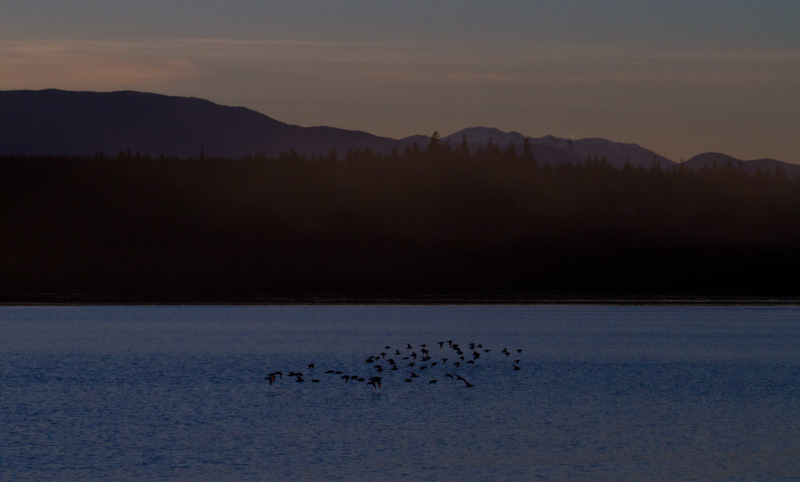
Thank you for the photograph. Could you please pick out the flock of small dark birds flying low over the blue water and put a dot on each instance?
(444, 360)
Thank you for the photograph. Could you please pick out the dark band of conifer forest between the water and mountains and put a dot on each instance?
(437, 222)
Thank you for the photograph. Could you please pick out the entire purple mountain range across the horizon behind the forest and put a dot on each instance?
(58, 122)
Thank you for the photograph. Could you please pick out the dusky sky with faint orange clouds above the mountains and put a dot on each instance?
(677, 77)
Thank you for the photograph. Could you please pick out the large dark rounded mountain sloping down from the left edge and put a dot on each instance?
(51, 122)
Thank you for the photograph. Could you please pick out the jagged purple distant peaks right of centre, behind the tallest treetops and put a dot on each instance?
(555, 150)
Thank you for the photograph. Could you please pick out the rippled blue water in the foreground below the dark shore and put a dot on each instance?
(602, 393)
